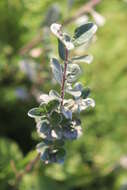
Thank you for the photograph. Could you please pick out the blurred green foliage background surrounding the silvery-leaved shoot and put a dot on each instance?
(98, 160)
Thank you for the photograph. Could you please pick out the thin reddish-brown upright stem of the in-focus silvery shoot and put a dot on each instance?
(64, 76)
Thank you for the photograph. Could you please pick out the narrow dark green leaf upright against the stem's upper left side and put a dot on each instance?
(61, 50)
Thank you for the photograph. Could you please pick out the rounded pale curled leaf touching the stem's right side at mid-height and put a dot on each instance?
(73, 72)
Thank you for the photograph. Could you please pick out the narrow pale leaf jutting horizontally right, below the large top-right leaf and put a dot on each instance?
(85, 58)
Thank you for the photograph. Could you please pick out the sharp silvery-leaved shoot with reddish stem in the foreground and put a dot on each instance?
(57, 118)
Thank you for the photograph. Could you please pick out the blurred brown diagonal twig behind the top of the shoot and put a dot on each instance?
(37, 39)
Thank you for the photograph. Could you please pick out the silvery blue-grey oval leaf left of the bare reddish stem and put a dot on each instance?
(57, 70)
